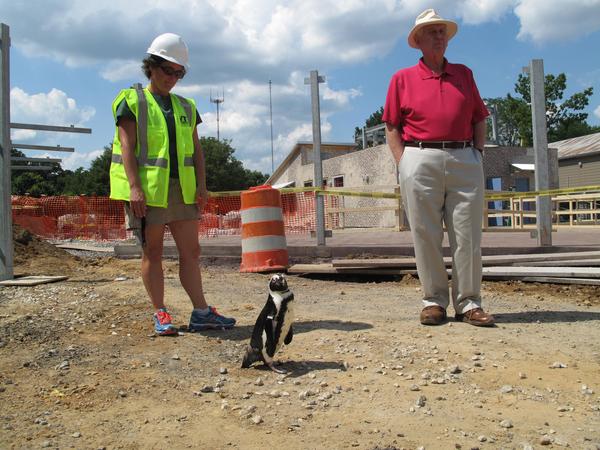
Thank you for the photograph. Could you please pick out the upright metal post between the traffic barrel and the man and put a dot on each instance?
(314, 81)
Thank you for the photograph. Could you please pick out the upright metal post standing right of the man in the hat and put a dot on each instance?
(540, 148)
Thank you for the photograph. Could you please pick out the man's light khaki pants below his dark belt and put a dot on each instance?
(445, 185)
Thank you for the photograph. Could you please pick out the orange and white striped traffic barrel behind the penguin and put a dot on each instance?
(264, 248)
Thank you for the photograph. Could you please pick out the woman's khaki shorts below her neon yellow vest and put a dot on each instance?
(176, 210)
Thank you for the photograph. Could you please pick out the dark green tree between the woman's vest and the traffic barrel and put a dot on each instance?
(224, 172)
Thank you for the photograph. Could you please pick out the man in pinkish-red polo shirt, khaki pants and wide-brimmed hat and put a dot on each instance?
(435, 128)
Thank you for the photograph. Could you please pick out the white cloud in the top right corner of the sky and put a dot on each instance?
(556, 20)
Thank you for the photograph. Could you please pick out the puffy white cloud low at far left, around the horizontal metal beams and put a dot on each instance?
(52, 108)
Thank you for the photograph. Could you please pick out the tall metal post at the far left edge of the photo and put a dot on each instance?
(6, 242)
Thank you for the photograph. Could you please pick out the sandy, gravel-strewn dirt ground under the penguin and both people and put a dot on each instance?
(80, 367)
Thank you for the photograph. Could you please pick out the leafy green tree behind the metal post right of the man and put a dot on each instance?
(564, 118)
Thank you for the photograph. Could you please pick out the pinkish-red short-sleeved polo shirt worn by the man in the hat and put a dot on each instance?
(432, 107)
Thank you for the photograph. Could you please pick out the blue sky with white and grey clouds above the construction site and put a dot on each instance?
(69, 58)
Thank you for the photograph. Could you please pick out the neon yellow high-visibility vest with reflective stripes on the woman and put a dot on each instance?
(152, 148)
